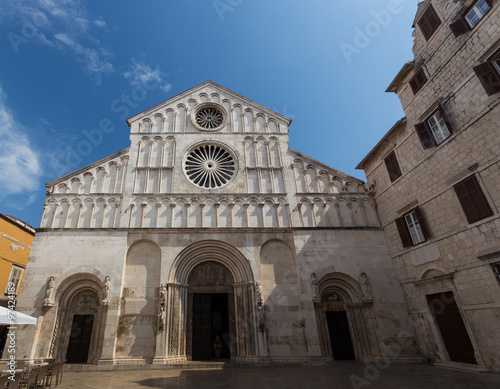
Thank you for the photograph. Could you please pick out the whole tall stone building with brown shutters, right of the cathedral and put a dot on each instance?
(435, 177)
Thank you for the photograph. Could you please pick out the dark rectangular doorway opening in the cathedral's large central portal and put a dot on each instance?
(210, 326)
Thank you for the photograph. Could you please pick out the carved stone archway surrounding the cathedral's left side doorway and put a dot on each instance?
(81, 294)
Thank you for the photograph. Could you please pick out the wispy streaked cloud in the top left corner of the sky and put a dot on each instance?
(63, 25)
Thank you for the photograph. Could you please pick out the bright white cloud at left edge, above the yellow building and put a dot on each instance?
(21, 168)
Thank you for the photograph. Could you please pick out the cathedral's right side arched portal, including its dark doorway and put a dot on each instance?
(344, 316)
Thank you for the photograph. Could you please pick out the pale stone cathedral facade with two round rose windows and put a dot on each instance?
(209, 238)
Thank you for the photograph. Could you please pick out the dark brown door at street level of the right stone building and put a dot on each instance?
(451, 326)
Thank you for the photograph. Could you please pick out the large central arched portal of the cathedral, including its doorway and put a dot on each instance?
(211, 273)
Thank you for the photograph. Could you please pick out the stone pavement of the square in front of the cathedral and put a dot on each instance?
(339, 375)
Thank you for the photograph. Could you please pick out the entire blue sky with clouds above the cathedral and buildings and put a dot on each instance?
(67, 65)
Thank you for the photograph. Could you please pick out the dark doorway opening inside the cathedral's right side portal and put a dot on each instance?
(340, 336)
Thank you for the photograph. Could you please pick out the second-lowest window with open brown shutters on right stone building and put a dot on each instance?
(435, 129)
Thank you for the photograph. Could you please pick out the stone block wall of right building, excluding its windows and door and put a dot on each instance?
(454, 248)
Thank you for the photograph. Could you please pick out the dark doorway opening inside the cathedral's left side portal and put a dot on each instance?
(79, 339)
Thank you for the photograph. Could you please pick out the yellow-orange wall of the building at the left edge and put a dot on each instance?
(15, 247)
